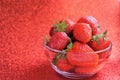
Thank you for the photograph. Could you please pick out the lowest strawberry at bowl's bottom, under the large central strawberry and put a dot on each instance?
(85, 70)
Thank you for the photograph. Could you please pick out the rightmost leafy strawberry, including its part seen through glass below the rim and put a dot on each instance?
(100, 42)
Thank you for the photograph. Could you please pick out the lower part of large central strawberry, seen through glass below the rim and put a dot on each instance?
(82, 59)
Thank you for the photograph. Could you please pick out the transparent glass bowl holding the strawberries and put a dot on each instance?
(103, 57)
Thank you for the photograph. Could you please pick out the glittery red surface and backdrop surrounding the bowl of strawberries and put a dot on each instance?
(23, 24)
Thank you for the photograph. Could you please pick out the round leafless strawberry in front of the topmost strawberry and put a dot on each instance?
(82, 32)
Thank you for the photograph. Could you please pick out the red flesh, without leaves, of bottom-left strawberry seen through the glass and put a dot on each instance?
(64, 65)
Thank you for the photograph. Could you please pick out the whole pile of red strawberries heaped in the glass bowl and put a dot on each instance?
(79, 41)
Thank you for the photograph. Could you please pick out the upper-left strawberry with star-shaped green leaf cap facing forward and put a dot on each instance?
(64, 26)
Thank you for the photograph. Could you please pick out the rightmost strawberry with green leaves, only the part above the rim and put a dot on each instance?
(99, 42)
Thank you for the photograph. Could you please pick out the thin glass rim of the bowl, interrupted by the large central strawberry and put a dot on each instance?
(97, 52)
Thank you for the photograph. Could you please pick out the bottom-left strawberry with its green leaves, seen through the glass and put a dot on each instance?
(61, 62)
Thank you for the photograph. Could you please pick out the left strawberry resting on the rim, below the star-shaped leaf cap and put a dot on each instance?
(58, 41)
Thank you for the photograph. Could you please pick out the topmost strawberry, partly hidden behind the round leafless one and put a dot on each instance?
(92, 22)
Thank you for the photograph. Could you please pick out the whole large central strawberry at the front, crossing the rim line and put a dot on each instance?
(82, 55)
